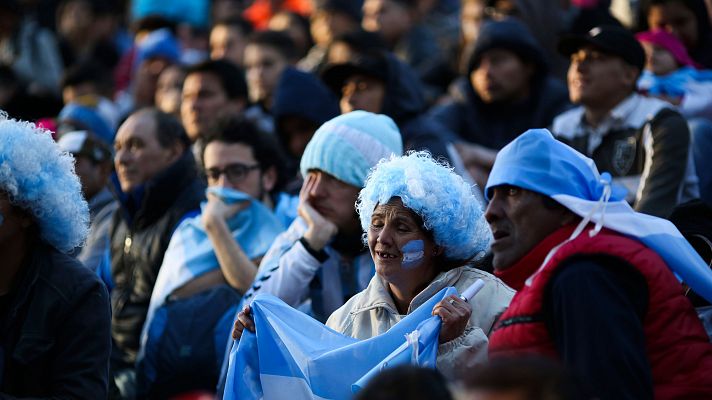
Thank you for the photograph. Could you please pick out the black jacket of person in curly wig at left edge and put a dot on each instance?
(55, 331)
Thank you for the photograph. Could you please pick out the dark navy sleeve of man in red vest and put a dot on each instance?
(593, 309)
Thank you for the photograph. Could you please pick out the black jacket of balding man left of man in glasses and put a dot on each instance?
(140, 231)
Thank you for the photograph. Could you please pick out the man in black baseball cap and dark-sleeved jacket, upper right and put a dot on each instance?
(620, 129)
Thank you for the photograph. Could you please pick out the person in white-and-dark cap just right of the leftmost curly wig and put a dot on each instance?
(93, 164)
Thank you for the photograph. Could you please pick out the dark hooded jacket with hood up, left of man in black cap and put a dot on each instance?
(494, 125)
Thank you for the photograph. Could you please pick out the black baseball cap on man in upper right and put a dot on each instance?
(612, 40)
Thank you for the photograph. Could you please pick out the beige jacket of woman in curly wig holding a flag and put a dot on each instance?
(372, 312)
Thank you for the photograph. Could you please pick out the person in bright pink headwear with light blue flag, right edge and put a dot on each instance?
(670, 74)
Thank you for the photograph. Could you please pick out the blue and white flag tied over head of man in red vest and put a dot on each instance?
(538, 162)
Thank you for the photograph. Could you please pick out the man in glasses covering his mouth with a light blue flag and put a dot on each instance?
(210, 262)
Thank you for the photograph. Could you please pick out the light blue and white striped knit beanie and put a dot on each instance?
(349, 145)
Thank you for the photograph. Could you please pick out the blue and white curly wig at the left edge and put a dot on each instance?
(39, 178)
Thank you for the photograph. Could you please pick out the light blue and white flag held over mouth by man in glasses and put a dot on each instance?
(190, 252)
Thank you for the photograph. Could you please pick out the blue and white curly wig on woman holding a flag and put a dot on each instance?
(442, 199)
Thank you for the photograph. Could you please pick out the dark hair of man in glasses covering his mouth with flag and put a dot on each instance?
(264, 146)
